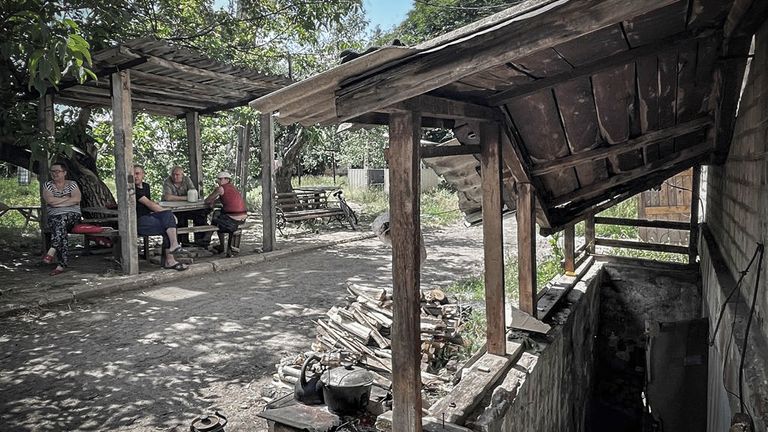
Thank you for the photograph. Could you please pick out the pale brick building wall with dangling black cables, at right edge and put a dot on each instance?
(737, 217)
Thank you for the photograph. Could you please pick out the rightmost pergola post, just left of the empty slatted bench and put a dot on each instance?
(267, 137)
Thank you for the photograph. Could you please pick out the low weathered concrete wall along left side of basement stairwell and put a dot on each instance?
(549, 388)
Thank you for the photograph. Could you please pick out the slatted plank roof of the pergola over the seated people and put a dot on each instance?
(169, 80)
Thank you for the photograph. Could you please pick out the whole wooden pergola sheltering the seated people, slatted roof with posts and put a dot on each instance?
(156, 77)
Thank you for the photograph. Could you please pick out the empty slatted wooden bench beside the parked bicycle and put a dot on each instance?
(301, 206)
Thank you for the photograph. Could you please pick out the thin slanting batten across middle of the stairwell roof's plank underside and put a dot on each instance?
(649, 138)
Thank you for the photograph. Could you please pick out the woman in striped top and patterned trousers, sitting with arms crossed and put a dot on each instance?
(62, 202)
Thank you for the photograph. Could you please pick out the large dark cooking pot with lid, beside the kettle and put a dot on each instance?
(346, 389)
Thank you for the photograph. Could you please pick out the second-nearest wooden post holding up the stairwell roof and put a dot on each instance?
(493, 240)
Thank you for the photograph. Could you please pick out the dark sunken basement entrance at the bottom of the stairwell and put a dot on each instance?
(651, 352)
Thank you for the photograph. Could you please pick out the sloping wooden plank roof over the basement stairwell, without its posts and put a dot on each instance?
(600, 99)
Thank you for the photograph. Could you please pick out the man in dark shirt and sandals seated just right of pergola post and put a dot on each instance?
(153, 219)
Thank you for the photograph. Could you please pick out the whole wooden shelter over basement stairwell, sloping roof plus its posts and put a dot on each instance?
(578, 105)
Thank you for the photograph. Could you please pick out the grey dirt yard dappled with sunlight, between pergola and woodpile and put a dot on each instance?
(154, 359)
